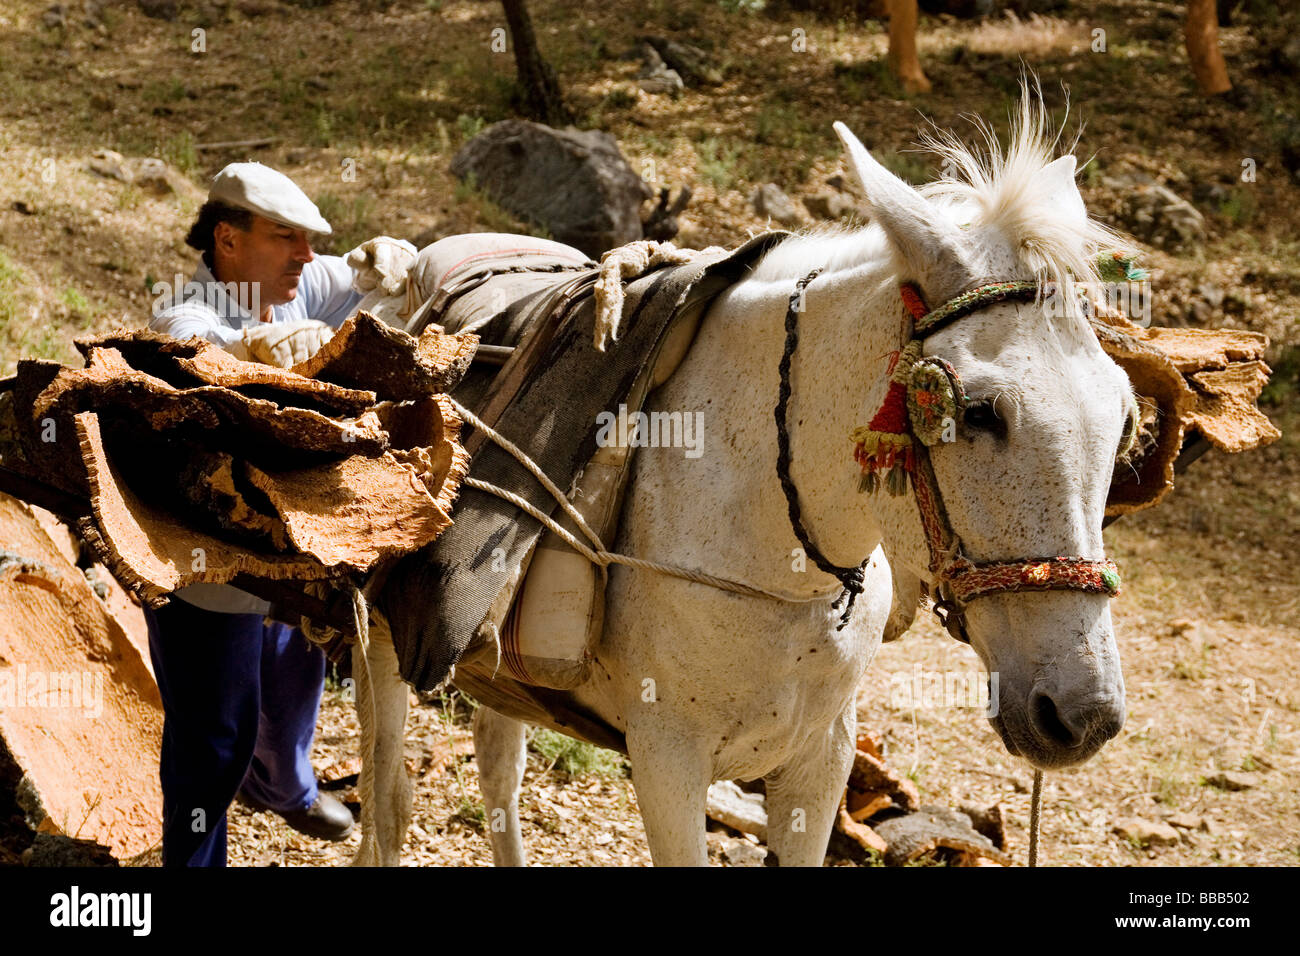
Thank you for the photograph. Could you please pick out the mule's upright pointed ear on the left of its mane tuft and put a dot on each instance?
(926, 239)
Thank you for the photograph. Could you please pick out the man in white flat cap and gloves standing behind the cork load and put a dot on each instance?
(241, 694)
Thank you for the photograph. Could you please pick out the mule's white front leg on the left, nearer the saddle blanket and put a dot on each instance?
(671, 775)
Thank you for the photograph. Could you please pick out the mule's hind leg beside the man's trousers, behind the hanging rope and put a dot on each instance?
(385, 786)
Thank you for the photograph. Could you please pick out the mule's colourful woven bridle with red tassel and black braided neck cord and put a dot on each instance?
(926, 401)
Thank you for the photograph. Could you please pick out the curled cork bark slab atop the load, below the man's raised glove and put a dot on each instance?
(367, 353)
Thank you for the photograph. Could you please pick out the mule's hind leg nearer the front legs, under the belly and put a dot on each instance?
(502, 755)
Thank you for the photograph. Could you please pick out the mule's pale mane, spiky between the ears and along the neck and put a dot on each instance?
(983, 187)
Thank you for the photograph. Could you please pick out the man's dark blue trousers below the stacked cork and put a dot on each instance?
(240, 702)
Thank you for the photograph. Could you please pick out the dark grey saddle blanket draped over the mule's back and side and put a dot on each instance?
(437, 599)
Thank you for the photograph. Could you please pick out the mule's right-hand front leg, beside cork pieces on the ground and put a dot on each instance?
(804, 794)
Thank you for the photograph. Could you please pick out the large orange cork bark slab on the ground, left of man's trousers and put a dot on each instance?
(80, 712)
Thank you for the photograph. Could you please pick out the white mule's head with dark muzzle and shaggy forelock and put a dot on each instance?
(1026, 471)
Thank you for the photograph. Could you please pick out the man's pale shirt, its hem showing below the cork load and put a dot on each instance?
(210, 310)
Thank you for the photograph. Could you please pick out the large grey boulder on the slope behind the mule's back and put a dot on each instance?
(575, 184)
